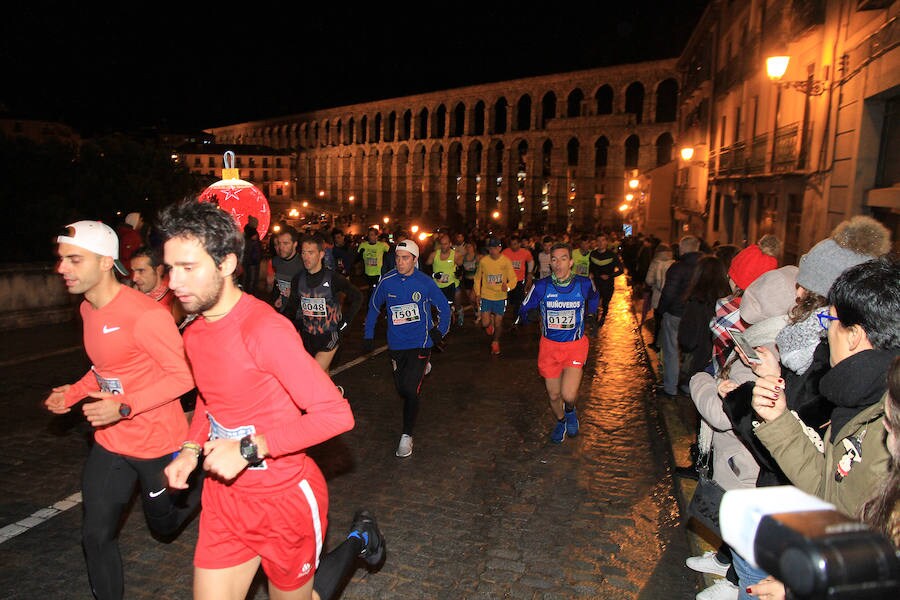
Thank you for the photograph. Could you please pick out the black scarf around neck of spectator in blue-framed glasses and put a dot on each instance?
(854, 384)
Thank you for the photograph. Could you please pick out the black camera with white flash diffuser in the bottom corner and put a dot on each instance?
(809, 546)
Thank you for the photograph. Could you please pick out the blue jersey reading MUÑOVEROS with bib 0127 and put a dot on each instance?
(563, 309)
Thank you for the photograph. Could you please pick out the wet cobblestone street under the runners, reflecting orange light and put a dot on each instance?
(486, 507)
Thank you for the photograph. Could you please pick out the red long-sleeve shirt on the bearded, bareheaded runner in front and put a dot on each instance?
(254, 376)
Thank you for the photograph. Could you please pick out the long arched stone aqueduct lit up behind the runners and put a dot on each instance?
(546, 153)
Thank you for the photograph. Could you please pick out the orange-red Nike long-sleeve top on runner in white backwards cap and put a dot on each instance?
(137, 352)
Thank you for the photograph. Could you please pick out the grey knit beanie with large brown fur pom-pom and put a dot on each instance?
(851, 243)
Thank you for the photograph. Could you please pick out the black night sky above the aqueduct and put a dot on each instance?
(183, 67)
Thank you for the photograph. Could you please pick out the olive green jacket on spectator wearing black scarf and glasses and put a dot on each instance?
(814, 471)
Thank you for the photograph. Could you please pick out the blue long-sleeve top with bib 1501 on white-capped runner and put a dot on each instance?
(409, 300)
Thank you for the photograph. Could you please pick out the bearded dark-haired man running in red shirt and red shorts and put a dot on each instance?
(262, 401)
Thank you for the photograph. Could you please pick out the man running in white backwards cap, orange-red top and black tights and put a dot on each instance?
(139, 371)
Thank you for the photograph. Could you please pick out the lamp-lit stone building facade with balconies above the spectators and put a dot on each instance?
(792, 156)
